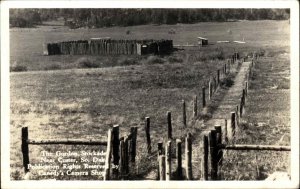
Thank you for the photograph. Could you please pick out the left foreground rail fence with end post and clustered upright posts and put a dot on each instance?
(120, 151)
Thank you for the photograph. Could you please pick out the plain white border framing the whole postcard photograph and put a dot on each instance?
(5, 166)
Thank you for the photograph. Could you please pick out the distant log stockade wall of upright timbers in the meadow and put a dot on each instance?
(108, 46)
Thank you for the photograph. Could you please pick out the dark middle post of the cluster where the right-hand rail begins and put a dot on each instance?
(213, 155)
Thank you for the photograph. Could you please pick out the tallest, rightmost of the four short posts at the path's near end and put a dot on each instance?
(188, 156)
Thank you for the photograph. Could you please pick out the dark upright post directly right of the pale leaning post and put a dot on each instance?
(116, 153)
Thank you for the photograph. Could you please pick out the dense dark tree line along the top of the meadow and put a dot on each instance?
(128, 17)
